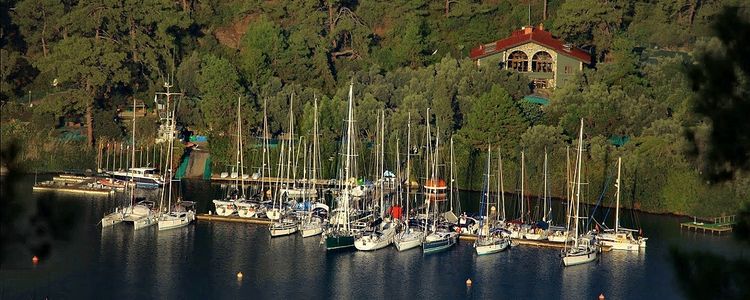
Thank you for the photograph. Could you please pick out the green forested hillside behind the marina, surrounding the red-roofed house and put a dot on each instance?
(69, 66)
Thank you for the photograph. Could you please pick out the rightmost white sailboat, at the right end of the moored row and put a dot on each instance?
(621, 238)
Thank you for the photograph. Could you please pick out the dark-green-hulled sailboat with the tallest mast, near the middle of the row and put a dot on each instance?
(340, 234)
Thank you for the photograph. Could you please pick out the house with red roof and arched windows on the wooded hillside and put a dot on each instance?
(547, 61)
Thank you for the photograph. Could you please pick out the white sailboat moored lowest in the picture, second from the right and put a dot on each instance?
(582, 249)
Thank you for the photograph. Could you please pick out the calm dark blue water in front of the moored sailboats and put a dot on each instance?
(201, 262)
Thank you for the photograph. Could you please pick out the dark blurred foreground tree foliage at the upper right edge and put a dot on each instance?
(721, 82)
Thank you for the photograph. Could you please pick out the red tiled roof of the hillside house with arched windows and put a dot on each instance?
(527, 35)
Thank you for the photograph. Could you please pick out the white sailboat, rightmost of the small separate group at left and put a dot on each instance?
(184, 212)
